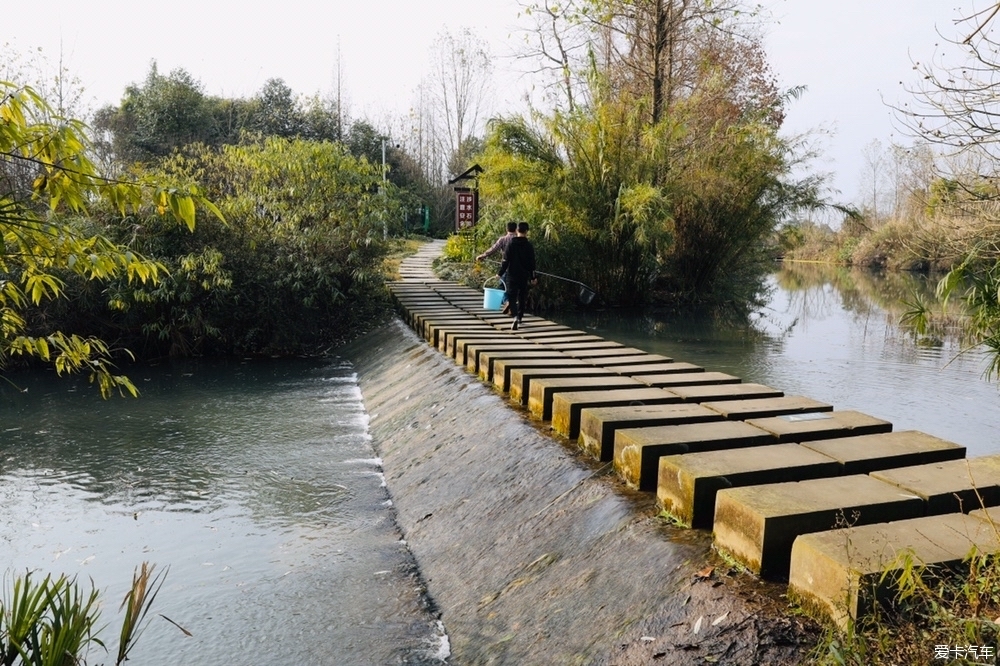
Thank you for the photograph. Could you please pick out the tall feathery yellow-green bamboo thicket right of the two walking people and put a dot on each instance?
(686, 204)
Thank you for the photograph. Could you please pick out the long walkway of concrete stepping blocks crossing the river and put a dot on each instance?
(788, 485)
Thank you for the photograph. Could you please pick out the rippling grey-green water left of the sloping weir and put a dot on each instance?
(255, 483)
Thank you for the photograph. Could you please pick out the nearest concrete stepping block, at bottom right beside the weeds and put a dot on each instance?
(839, 574)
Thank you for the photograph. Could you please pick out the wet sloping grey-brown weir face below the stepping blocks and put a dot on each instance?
(533, 554)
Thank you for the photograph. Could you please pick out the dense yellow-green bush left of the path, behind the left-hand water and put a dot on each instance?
(296, 267)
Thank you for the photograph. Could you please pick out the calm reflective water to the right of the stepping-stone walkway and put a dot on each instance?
(833, 334)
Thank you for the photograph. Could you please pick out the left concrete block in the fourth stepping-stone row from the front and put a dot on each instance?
(637, 459)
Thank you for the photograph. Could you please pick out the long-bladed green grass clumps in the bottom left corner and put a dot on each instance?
(53, 621)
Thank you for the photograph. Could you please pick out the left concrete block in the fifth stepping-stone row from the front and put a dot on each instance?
(599, 426)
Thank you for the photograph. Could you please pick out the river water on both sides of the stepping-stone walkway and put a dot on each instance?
(256, 483)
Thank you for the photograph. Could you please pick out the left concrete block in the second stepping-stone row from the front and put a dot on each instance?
(756, 525)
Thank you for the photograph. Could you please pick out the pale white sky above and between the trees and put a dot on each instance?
(851, 55)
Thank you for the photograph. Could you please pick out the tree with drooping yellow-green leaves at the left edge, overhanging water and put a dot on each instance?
(48, 189)
